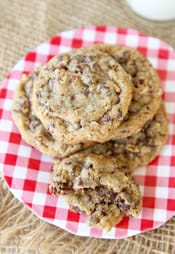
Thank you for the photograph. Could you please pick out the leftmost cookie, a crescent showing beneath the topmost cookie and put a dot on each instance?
(31, 128)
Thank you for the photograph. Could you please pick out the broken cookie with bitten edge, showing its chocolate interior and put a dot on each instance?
(102, 187)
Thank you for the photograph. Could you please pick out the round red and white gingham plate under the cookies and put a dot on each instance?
(27, 171)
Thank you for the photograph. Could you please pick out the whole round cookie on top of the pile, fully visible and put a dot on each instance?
(82, 95)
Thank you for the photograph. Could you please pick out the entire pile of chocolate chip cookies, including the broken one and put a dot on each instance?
(103, 102)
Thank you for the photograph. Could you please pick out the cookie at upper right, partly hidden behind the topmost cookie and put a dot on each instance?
(147, 88)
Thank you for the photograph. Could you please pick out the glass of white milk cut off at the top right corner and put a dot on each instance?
(158, 10)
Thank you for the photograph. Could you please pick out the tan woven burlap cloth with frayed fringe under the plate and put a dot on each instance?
(25, 24)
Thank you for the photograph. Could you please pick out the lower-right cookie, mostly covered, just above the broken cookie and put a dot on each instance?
(140, 148)
